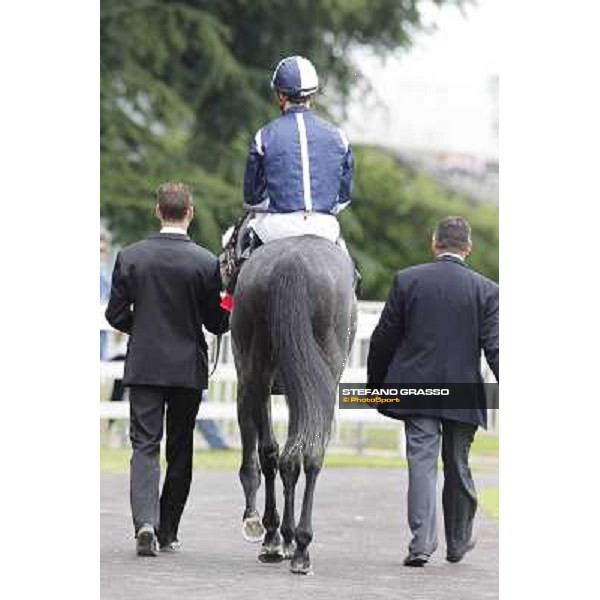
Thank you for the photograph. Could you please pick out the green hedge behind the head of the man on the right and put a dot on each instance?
(393, 215)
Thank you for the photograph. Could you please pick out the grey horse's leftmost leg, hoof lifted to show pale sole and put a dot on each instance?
(252, 528)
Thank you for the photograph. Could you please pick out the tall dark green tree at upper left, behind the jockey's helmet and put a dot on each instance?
(184, 84)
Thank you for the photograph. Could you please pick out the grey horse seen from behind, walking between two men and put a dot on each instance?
(294, 316)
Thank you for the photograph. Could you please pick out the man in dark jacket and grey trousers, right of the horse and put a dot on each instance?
(437, 320)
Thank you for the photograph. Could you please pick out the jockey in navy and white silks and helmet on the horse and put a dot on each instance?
(299, 169)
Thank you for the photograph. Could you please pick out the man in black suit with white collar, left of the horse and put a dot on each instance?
(164, 289)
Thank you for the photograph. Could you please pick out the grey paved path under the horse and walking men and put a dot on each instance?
(360, 540)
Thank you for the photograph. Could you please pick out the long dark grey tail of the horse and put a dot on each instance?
(307, 379)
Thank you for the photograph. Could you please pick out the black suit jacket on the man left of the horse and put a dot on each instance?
(163, 290)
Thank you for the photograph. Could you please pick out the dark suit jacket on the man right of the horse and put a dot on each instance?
(437, 319)
